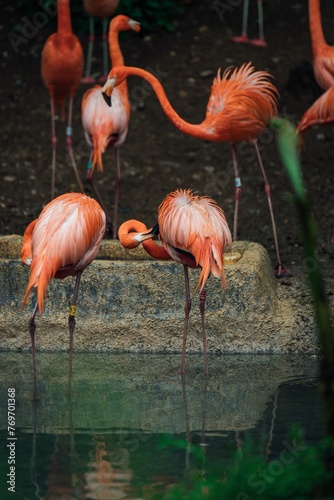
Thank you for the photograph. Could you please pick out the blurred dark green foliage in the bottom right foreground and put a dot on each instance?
(298, 472)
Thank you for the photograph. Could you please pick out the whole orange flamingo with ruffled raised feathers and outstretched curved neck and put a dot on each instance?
(241, 103)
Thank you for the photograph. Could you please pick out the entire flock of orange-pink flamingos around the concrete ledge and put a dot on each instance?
(192, 230)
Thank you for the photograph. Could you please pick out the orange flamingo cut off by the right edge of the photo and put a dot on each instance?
(322, 110)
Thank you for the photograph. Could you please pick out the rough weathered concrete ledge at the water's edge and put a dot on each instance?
(131, 303)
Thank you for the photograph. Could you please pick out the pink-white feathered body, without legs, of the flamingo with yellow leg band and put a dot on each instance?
(65, 239)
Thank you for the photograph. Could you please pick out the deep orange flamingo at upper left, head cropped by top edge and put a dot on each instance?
(62, 67)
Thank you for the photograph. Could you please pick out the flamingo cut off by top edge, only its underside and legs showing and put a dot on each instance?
(103, 9)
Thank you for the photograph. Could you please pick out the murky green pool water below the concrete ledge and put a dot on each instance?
(131, 428)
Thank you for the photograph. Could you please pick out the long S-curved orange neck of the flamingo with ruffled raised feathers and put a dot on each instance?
(195, 130)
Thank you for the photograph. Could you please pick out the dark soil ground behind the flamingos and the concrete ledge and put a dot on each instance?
(156, 157)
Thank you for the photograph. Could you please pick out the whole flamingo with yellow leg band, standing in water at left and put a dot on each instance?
(62, 242)
